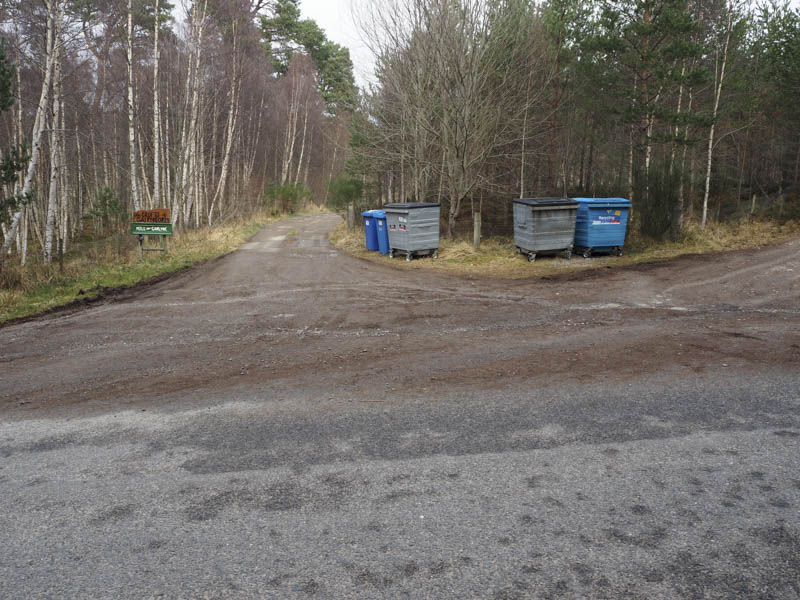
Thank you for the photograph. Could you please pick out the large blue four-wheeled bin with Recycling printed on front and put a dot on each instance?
(601, 225)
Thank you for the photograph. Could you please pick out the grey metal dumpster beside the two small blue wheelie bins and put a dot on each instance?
(413, 228)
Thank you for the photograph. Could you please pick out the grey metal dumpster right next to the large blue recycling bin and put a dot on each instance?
(544, 226)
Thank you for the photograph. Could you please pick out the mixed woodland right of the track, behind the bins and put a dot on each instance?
(687, 107)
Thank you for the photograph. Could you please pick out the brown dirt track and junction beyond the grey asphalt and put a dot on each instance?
(290, 313)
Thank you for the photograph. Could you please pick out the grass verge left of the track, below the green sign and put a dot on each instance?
(97, 267)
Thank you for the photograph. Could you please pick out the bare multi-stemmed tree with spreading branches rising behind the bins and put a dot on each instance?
(454, 88)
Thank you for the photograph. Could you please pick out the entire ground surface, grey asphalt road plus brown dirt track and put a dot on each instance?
(289, 422)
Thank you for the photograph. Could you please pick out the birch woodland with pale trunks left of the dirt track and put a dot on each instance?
(112, 106)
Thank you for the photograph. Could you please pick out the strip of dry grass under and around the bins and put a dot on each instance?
(497, 257)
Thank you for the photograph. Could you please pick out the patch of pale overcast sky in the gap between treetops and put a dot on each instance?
(335, 17)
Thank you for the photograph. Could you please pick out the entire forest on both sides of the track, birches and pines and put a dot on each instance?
(218, 109)
